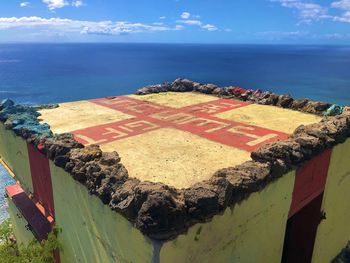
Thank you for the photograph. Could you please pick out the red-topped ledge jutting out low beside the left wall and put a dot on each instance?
(39, 224)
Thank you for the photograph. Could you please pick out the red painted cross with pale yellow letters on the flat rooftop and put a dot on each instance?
(197, 119)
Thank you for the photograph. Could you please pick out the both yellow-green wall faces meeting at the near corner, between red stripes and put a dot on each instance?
(94, 233)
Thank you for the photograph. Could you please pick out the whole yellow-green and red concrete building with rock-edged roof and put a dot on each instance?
(196, 178)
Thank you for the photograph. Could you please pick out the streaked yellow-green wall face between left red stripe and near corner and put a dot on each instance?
(91, 231)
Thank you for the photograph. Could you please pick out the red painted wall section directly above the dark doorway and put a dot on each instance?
(310, 181)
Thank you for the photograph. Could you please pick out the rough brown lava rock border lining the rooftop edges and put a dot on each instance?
(160, 211)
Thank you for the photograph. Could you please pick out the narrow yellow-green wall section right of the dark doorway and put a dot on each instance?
(334, 232)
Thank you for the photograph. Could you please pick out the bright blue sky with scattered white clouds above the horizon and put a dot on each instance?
(176, 21)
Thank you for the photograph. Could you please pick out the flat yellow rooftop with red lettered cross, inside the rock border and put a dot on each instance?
(177, 138)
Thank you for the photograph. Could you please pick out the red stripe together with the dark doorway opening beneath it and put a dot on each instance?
(305, 212)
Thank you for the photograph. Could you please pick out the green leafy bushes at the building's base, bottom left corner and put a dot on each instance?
(35, 252)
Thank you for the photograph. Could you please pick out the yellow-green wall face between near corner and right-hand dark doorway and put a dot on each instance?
(252, 231)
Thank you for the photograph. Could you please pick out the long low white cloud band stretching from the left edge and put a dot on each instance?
(60, 25)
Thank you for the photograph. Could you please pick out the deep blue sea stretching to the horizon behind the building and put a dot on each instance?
(53, 73)
